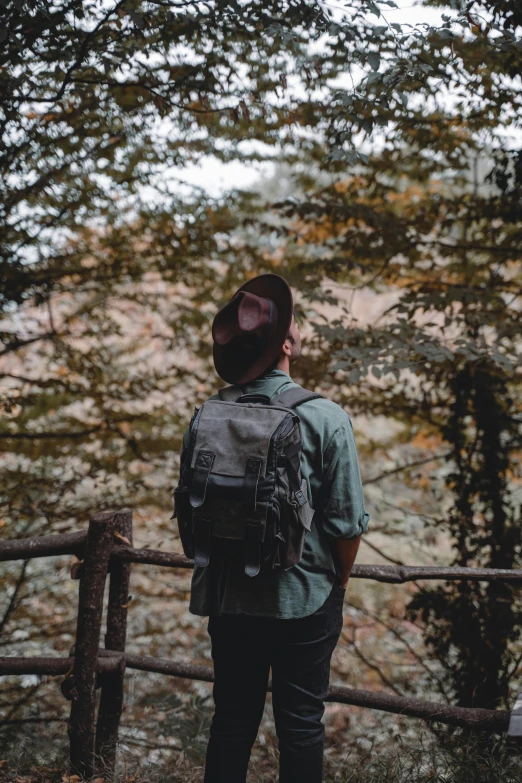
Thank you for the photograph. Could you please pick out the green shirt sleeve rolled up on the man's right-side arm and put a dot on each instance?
(345, 515)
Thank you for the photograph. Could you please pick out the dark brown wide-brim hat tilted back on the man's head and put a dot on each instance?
(250, 330)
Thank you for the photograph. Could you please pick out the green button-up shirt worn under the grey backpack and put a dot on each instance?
(331, 468)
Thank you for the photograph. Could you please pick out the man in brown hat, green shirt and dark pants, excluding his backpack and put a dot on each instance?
(289, 621)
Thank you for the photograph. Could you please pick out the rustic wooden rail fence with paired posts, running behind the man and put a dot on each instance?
(105, 548)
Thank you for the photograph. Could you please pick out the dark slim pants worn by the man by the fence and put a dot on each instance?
(299, 652)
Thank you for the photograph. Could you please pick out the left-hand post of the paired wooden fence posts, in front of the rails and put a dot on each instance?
(100, 538)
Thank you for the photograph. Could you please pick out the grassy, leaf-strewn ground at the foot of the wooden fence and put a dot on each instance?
(446, 759)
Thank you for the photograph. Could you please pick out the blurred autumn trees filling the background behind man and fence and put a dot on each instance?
(389, 195)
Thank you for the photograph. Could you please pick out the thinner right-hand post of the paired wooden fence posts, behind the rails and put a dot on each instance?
(111, 699)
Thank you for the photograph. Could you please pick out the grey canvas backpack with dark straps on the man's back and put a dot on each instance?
(240, 490)
